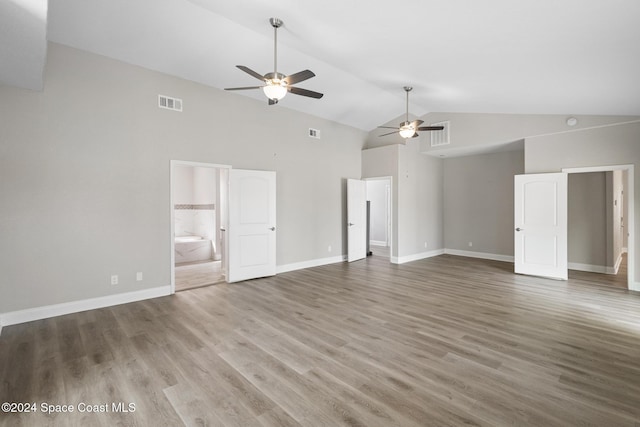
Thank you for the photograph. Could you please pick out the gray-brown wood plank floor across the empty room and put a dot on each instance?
(445, 341)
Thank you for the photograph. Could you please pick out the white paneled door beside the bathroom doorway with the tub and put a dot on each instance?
(251, 224)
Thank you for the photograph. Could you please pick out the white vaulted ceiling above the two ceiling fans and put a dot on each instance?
(491, 56)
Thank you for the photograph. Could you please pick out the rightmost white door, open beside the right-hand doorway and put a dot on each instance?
(541, 225)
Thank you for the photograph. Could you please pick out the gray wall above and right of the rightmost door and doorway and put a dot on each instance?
(613, 145)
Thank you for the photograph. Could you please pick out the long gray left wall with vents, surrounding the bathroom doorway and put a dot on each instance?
(84, 175)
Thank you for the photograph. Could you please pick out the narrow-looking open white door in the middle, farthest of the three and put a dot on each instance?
(356, 219)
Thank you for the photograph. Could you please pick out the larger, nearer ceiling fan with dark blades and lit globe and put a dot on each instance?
(276, 85)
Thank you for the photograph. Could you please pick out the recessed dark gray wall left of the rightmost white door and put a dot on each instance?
(478, 202)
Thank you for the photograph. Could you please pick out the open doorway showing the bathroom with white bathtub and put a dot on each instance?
(198, 222)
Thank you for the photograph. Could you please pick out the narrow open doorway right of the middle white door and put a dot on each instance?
(380, 229)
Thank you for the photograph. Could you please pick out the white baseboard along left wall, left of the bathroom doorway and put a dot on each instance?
(37, 313)
